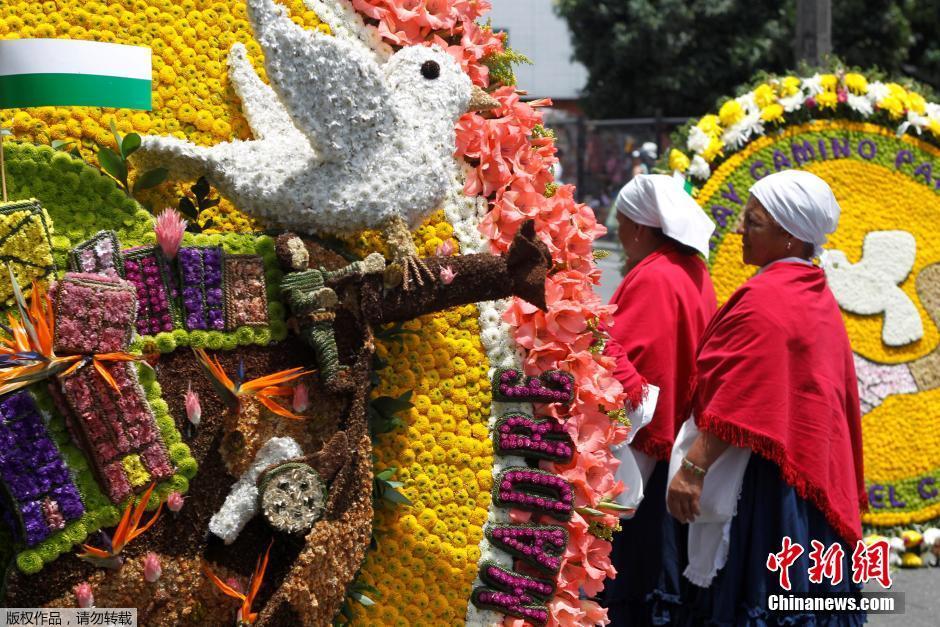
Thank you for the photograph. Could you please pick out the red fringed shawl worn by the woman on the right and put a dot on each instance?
(775, 374)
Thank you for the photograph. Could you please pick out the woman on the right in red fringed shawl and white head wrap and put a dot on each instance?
(774, 446)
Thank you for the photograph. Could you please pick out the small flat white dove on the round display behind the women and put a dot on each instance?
(870, 286)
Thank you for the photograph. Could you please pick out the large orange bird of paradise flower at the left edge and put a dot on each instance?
(27, 355)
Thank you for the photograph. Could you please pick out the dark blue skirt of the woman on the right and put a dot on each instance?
(768, 510)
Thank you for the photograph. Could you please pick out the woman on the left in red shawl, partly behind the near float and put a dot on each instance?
(663, 305)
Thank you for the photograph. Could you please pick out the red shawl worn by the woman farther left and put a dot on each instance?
(663, 306)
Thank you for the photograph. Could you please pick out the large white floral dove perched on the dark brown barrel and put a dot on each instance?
(347, 137)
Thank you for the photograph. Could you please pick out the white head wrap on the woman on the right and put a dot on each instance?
(802, 203)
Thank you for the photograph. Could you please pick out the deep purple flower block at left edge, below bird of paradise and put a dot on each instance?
(33, 471)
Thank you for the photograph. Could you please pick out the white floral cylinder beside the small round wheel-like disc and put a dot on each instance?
(241, 504)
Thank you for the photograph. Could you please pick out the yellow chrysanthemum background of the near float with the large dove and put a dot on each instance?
(425, 560)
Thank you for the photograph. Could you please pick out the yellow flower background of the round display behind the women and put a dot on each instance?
(902, 435)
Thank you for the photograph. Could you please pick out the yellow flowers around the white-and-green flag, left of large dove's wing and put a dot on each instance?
(192, 98)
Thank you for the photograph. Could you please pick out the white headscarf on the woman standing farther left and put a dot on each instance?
(659, 200)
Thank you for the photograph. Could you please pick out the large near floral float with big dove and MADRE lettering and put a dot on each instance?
(395, 412)
